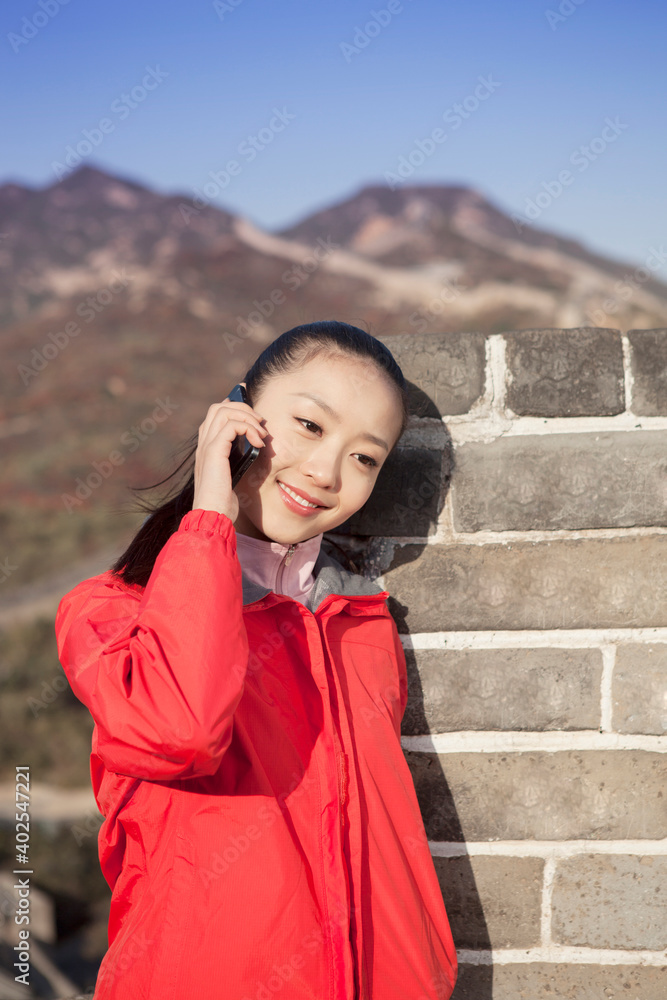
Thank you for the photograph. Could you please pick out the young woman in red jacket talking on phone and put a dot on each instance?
(262, 835)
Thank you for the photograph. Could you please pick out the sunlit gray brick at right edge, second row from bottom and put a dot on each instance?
(611, 901)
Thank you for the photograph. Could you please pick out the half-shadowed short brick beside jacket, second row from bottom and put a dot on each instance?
(492, 902)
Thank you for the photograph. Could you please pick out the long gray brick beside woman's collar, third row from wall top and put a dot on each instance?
(563, 583)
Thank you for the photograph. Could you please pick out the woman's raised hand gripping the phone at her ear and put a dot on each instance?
(213, 477)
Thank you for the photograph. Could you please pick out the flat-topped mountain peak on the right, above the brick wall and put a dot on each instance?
(488, 258)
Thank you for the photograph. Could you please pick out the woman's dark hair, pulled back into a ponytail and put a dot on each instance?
(287, 353)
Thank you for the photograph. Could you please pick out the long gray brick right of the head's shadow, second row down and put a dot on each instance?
(561, 481)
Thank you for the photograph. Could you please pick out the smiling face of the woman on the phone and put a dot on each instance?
(328, 457)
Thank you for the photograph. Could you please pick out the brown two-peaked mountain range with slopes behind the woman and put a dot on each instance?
(115, 300)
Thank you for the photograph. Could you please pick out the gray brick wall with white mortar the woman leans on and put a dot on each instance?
(522, 533)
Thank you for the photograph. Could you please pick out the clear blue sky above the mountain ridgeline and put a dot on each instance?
(360, 88)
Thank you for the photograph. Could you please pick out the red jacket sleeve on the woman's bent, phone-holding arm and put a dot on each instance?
(162, 669)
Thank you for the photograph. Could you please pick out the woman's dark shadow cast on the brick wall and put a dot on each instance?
(407, 501)
